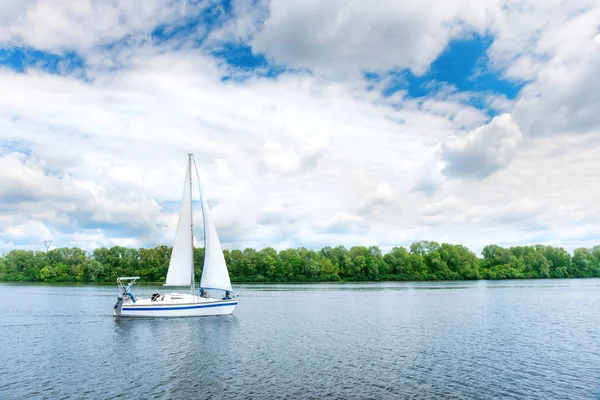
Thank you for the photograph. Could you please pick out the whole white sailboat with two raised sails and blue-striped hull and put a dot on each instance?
(215, 277)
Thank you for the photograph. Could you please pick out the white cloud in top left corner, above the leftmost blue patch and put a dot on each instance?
(56, 26)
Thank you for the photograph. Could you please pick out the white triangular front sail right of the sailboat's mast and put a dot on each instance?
(214, 272)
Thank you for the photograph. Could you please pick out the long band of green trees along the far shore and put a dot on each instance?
(422, 261)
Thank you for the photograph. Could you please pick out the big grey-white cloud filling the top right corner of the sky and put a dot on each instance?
(551, 44)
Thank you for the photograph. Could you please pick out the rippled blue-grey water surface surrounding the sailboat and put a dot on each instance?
(532, 339)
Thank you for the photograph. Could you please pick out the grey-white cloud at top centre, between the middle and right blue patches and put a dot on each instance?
(350, 36)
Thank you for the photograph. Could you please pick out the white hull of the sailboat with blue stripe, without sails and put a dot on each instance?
(176, 305)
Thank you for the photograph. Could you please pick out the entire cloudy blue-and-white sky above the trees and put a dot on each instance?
(313, 123)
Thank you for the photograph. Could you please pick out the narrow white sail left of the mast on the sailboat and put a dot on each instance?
(182, 258)
